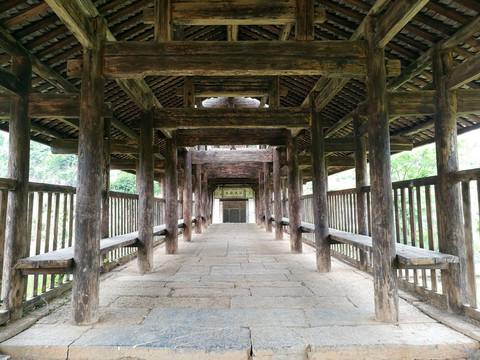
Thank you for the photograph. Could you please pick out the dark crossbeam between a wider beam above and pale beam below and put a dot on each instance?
(273, 137)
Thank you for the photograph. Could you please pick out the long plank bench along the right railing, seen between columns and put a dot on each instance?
(408, 257)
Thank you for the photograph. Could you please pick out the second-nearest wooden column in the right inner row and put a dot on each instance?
(319, 183)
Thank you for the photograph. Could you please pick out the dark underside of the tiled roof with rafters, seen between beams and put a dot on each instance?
(32, 26)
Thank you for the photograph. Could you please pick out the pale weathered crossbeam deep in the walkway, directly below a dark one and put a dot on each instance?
(227, 156)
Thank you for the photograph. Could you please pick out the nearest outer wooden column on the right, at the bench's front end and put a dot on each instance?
(451, 237)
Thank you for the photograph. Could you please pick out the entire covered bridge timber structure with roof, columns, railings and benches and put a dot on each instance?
(124, 84)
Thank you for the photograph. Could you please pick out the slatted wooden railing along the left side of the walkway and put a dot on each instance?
(50, 227)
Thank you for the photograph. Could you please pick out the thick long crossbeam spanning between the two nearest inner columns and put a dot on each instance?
(224, 58)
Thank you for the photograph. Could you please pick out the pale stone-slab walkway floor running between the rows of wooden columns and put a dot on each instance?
(235, 293)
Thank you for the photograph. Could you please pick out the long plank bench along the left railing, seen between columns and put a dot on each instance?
(61, 261)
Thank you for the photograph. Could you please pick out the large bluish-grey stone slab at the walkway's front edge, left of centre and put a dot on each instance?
(162, 342)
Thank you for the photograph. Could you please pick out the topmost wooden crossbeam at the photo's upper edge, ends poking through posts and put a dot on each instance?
(236, 12)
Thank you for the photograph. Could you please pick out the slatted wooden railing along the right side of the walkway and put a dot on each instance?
(415, 215)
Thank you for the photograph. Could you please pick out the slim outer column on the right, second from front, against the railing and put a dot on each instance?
(361, 181)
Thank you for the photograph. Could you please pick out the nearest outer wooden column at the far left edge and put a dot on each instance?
(17, 244)
